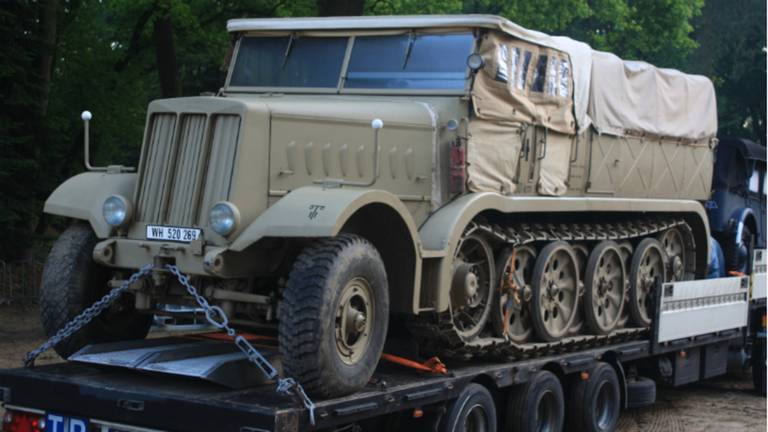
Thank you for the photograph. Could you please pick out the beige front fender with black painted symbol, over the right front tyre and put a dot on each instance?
(313, 211)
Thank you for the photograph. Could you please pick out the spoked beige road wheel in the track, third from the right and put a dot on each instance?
(604, 288)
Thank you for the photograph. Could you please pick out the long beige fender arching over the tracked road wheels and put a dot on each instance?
(441, 232)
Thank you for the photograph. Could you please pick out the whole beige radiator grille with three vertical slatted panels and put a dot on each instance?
(187, 167)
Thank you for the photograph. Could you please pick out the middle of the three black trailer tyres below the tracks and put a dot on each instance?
(537, 405)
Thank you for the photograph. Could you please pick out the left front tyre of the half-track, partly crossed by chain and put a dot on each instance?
(71, 282)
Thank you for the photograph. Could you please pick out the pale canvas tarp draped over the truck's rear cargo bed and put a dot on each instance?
(630, 97)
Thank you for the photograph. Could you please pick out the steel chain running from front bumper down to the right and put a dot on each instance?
(216, 316)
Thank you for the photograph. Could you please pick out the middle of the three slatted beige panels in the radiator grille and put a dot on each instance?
(181, 209)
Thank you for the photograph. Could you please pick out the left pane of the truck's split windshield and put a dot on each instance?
(289, 62)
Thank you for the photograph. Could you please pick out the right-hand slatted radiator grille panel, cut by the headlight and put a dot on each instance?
(226, 129)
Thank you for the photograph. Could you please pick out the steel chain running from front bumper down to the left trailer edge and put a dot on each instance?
(86, 316)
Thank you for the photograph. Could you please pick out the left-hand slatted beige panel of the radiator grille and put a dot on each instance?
(160, 144)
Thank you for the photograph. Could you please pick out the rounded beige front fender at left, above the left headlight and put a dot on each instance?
(82, 196)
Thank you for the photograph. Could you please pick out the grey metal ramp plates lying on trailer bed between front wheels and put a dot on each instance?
(219, 362)
